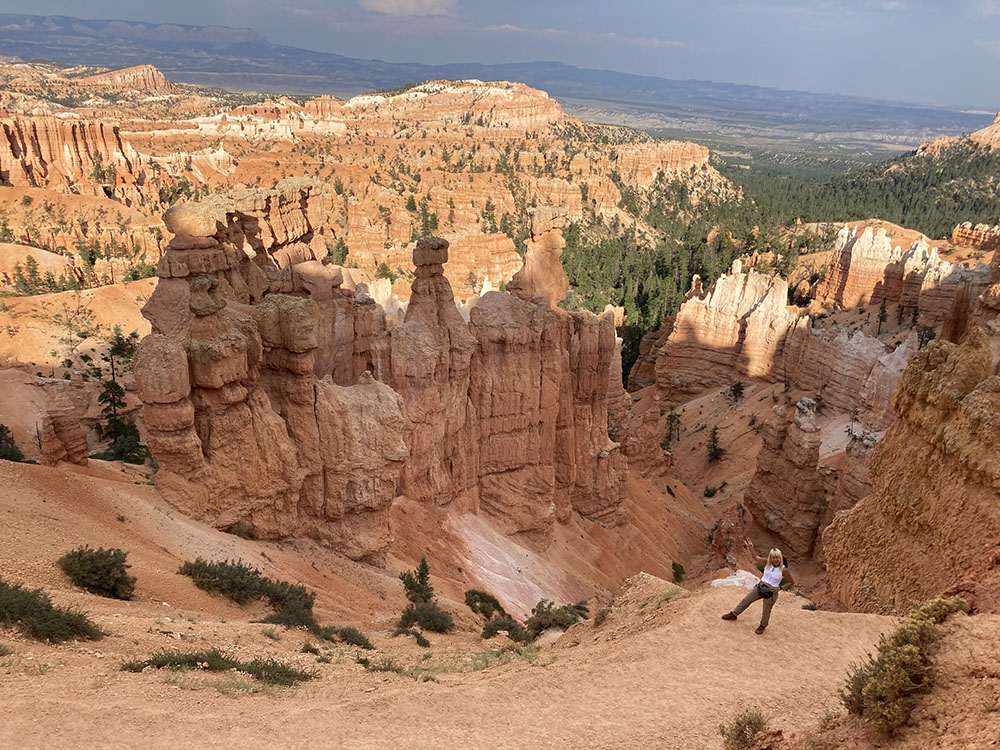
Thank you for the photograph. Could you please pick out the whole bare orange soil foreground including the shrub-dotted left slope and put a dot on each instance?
(663, 670)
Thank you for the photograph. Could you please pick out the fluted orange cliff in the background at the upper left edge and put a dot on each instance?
(68, 155)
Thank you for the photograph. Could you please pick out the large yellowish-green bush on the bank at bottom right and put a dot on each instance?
(884, 687)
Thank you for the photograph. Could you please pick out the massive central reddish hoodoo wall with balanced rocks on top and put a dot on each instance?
(275, 396)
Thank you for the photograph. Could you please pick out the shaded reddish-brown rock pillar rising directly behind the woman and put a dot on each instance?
(786, 494)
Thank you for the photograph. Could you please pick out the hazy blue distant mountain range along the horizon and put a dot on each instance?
(243, 60)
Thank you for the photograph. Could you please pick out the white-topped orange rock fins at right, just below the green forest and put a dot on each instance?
(867, 268)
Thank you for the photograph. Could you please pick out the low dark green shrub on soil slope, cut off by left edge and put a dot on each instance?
(32, 611)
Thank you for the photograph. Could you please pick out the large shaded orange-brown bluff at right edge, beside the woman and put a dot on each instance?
(933, 514)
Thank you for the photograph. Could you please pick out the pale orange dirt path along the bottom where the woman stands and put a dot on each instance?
(666, 682)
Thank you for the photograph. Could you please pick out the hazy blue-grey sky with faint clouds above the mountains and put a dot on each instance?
(944, 52)
